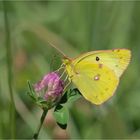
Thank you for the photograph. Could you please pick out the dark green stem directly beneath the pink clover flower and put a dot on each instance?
(40, 125)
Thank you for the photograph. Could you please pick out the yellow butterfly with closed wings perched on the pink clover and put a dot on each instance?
(96, 74)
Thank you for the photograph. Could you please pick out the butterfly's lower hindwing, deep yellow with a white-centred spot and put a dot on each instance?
(96, 85)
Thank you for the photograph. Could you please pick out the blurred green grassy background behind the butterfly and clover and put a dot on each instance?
(74, 27)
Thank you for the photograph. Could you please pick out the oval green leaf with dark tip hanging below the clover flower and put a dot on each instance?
(61, 115)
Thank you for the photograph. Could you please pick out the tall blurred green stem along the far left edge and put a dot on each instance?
(9, 67)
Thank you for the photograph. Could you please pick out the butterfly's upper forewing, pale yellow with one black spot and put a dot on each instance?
(116, 59)
